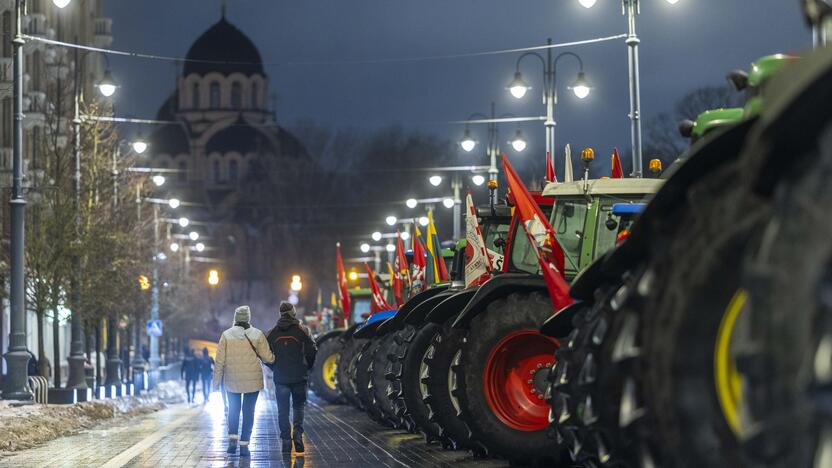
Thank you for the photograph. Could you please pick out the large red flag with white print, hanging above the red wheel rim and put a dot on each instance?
(542, 238)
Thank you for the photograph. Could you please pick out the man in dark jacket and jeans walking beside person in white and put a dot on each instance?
(294, 352)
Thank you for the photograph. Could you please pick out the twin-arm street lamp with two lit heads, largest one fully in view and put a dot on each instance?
(580, 88)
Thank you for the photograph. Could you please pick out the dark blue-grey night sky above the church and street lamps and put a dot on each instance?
(690, 44)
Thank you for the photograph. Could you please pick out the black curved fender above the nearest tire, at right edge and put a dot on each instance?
(795, 113)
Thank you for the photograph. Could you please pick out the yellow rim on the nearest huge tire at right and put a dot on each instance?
(728, 380)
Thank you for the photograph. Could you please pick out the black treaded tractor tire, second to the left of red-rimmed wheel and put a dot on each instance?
(406, 370)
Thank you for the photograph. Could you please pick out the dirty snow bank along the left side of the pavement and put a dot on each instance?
(23, 427)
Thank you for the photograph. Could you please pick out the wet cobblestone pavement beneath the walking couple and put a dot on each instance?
(336, 436)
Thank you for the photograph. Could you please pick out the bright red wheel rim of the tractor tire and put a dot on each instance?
(511, 373)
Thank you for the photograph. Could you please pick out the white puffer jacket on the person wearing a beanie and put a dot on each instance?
(237, 366)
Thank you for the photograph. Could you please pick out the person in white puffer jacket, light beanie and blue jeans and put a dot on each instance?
(240, 351)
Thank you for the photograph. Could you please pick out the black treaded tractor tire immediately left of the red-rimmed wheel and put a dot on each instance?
(439, 382)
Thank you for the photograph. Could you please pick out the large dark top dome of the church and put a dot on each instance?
(223, 42)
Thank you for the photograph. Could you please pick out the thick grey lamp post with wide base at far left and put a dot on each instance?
(15, 387)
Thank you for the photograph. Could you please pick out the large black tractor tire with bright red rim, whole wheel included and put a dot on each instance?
(502, 379)
